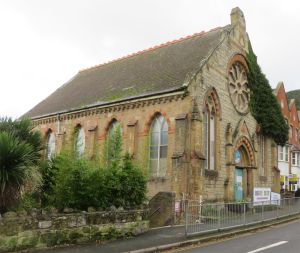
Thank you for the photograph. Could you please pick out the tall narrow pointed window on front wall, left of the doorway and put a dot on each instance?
(209, 133)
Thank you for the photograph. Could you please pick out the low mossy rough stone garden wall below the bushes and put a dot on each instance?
(42, 229)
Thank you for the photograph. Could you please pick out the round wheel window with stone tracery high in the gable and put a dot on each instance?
(238, 87)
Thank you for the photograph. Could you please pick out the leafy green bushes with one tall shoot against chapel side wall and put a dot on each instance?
(72, 181)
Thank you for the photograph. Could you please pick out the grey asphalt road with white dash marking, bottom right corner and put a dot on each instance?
(280, 239)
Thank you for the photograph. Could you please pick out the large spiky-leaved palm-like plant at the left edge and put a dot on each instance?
(19, 156)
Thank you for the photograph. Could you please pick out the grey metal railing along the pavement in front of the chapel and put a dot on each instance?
(203, 218)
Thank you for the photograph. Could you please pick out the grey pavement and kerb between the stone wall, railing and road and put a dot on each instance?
(157, 240)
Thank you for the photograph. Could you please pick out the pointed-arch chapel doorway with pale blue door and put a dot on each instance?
(243, 174)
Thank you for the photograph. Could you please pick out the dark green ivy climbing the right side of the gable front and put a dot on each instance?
(263, 104)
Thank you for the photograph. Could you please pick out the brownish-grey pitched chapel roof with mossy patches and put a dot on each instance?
(159, 69)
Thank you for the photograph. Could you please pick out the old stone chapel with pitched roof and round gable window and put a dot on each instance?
(183, 110)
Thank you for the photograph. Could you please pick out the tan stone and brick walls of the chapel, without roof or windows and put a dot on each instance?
(235, 132)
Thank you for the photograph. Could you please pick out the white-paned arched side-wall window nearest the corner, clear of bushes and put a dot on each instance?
(158, 146)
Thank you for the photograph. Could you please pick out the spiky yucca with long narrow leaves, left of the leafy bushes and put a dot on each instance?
(18, 165)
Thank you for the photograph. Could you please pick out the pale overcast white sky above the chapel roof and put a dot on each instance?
(44, 43)
